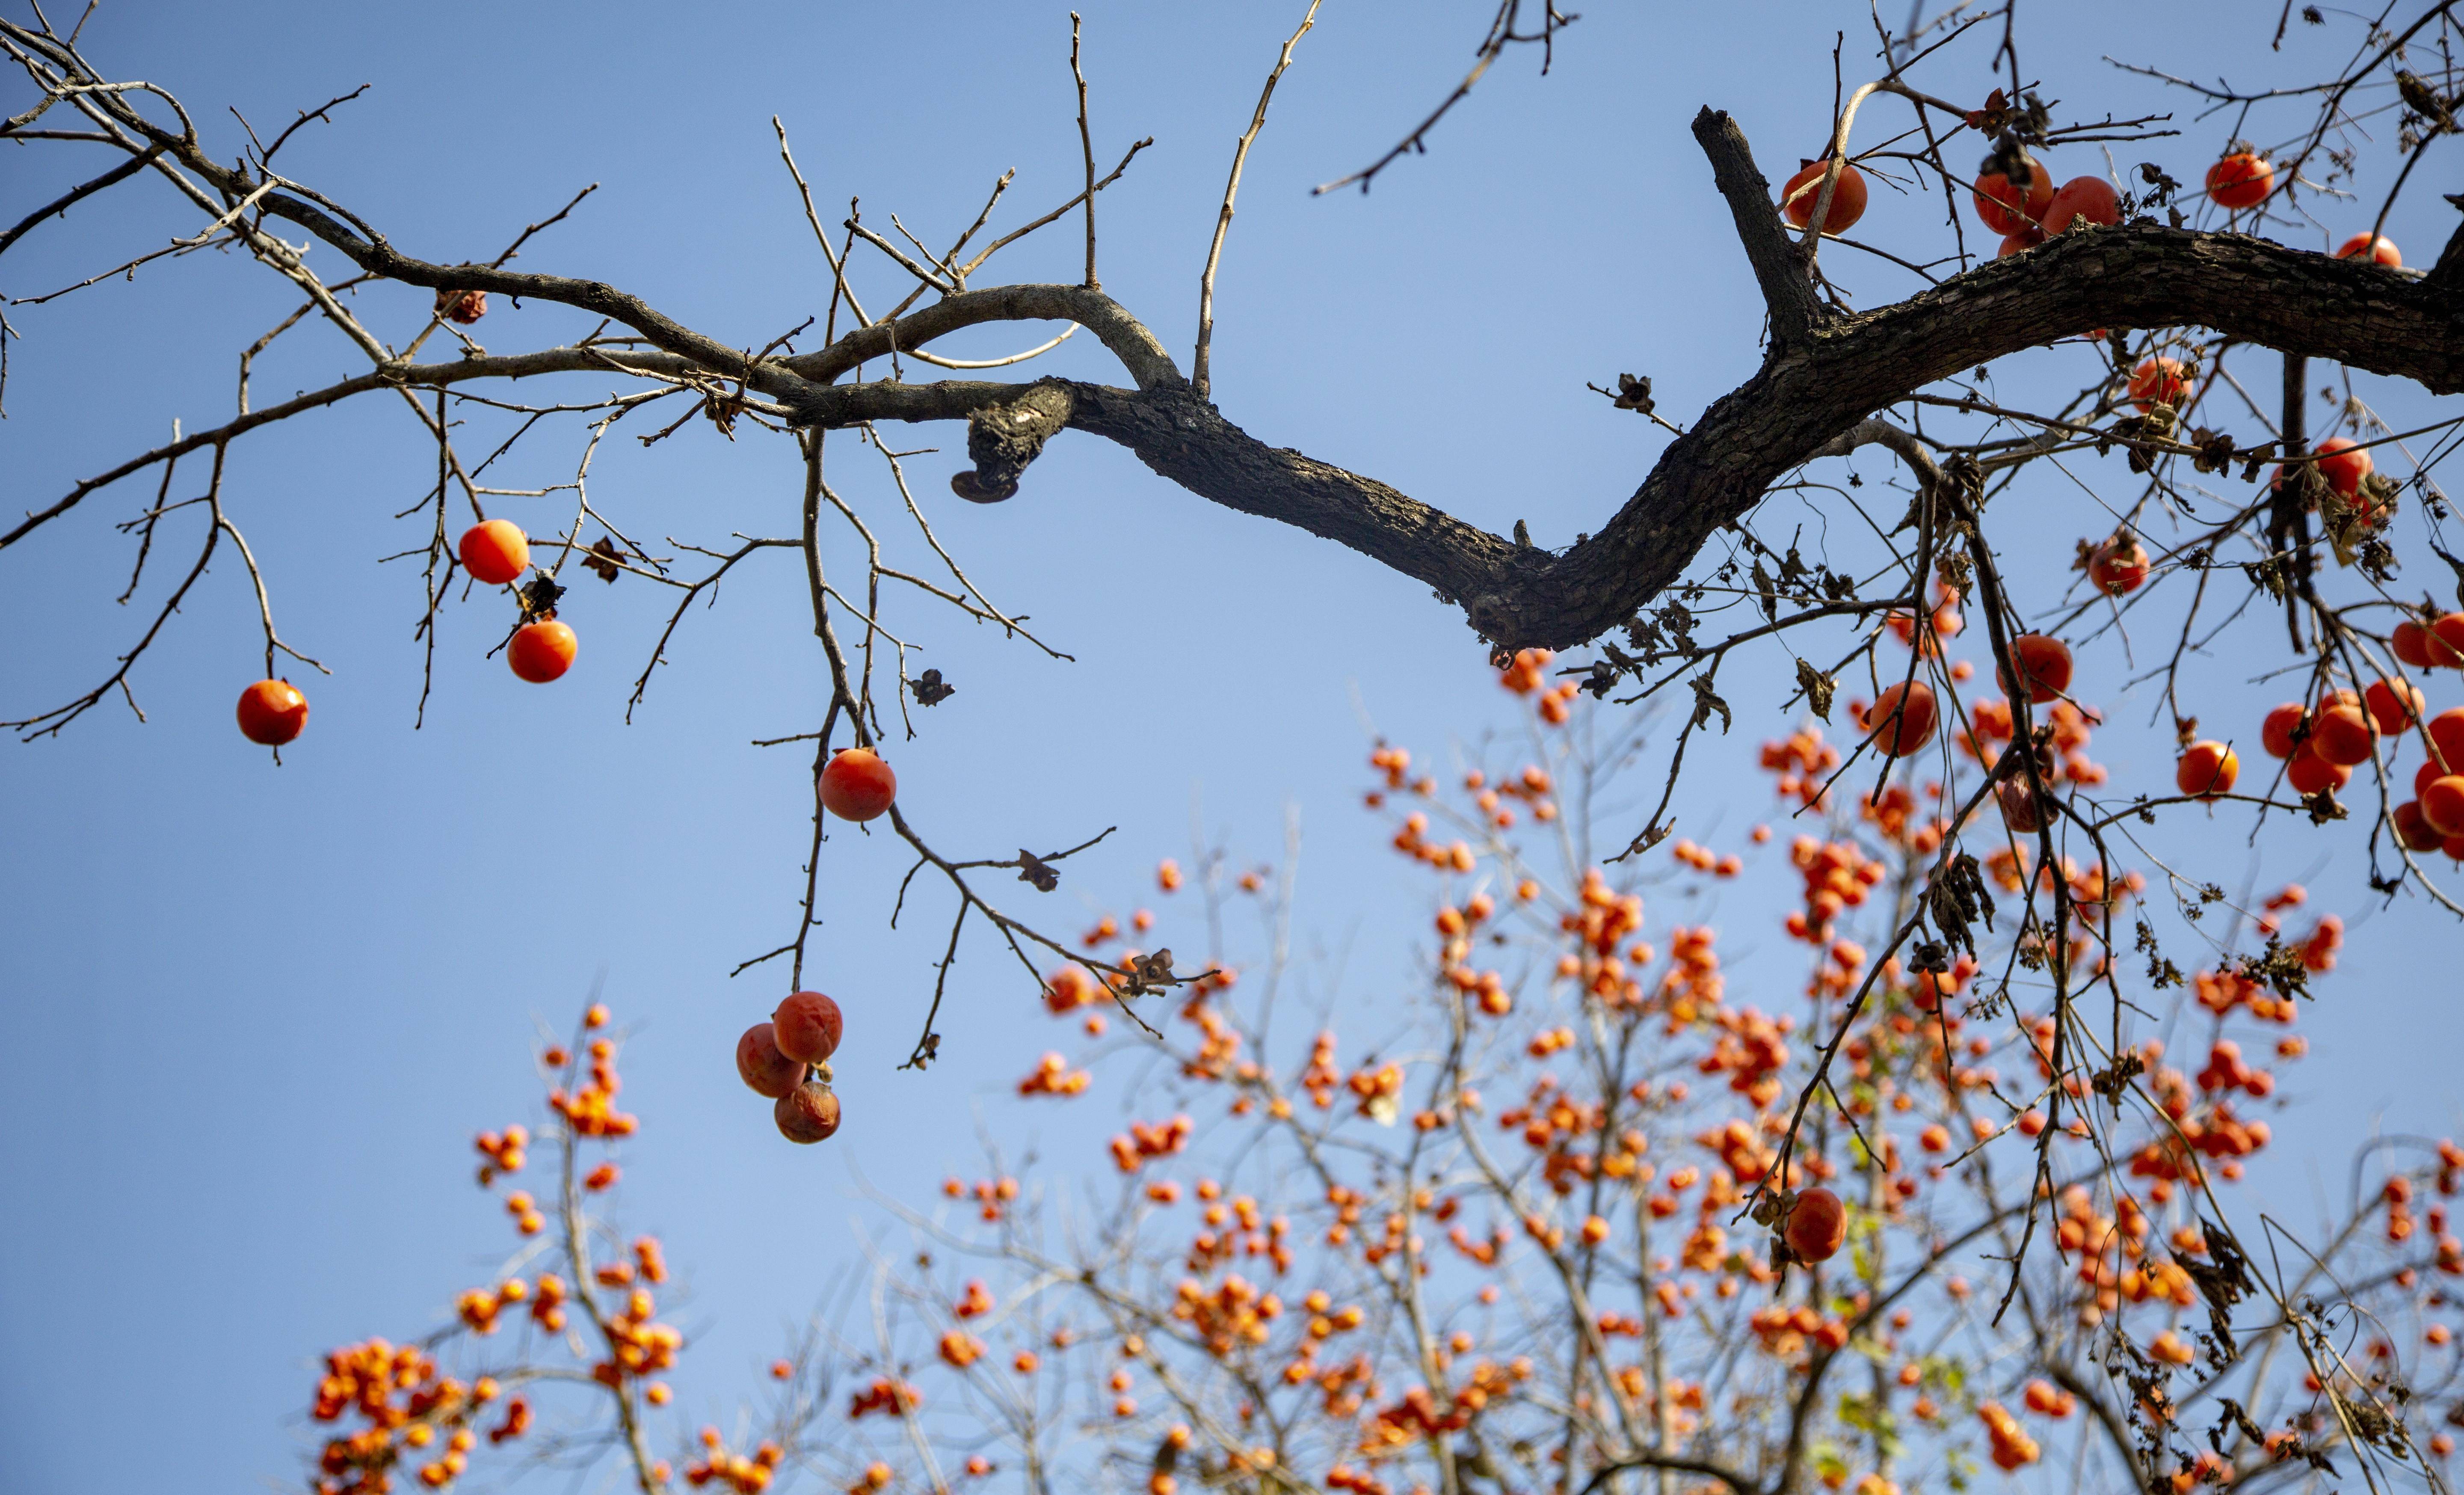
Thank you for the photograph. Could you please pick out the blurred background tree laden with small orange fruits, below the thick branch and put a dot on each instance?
(1568, 1218)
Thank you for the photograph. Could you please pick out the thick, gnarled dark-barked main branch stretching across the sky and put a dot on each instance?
(1825, 373)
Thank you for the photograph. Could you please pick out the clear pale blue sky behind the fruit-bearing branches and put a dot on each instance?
(250, 1018)
